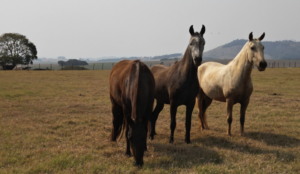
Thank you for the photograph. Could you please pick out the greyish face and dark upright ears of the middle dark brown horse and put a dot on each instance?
(196, 45)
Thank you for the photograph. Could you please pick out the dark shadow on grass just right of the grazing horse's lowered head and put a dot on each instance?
(181, 156)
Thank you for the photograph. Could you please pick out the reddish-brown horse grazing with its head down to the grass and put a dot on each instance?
(132, 96)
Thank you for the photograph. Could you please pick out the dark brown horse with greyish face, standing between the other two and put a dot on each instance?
(178, 85)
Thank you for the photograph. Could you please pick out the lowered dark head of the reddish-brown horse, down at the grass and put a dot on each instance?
(137, 137)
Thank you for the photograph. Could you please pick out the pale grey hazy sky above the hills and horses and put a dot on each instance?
(74, 28)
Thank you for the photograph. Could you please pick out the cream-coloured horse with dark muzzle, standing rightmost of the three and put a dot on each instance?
(230, 83)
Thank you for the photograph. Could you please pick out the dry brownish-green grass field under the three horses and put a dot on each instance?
(60, 121)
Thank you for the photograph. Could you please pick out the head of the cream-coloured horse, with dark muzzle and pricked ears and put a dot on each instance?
(255, 52)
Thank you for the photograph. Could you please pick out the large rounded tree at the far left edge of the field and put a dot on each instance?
(16, 49)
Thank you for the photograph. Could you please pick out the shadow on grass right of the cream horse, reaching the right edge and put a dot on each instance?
(274, 139)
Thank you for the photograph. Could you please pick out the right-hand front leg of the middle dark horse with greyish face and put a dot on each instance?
(188, 119)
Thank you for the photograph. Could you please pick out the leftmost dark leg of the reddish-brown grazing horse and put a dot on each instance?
(117, 120)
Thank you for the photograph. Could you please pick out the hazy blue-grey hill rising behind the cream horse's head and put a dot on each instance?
(273, 50)
